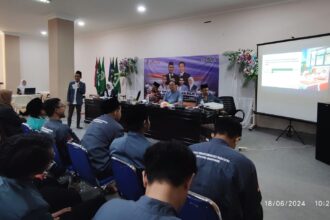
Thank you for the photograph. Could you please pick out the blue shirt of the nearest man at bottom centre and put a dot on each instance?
(145, 208)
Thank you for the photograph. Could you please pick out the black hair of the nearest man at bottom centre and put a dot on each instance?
(169, 161)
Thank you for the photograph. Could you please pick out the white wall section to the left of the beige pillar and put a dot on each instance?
(34, 62)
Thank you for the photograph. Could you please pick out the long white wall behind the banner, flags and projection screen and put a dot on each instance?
(228, 31)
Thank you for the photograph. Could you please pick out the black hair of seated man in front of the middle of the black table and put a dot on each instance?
(136, 117)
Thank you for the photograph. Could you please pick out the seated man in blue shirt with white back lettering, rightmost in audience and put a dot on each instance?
(226, 176)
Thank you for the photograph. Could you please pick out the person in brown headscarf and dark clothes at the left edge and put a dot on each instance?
(9, 120)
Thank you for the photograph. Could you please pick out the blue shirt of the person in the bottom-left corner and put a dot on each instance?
(21, 200)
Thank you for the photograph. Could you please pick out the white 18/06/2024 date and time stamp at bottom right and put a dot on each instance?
(297, 203)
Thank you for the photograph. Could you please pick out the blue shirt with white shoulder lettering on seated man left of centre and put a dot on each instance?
(97, 139)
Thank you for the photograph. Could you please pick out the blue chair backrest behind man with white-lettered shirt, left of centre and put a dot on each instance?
(81, 163)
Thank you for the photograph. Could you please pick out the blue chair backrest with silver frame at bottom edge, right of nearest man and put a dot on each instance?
(198, 207)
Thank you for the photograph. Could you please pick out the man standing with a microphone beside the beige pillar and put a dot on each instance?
(76, 93)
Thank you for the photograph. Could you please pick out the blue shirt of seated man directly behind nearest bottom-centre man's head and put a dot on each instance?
(130, 148)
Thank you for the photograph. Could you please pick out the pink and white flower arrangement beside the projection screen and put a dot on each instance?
(247, 61)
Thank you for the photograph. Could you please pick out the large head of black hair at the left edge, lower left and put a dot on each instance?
(24, 155)
